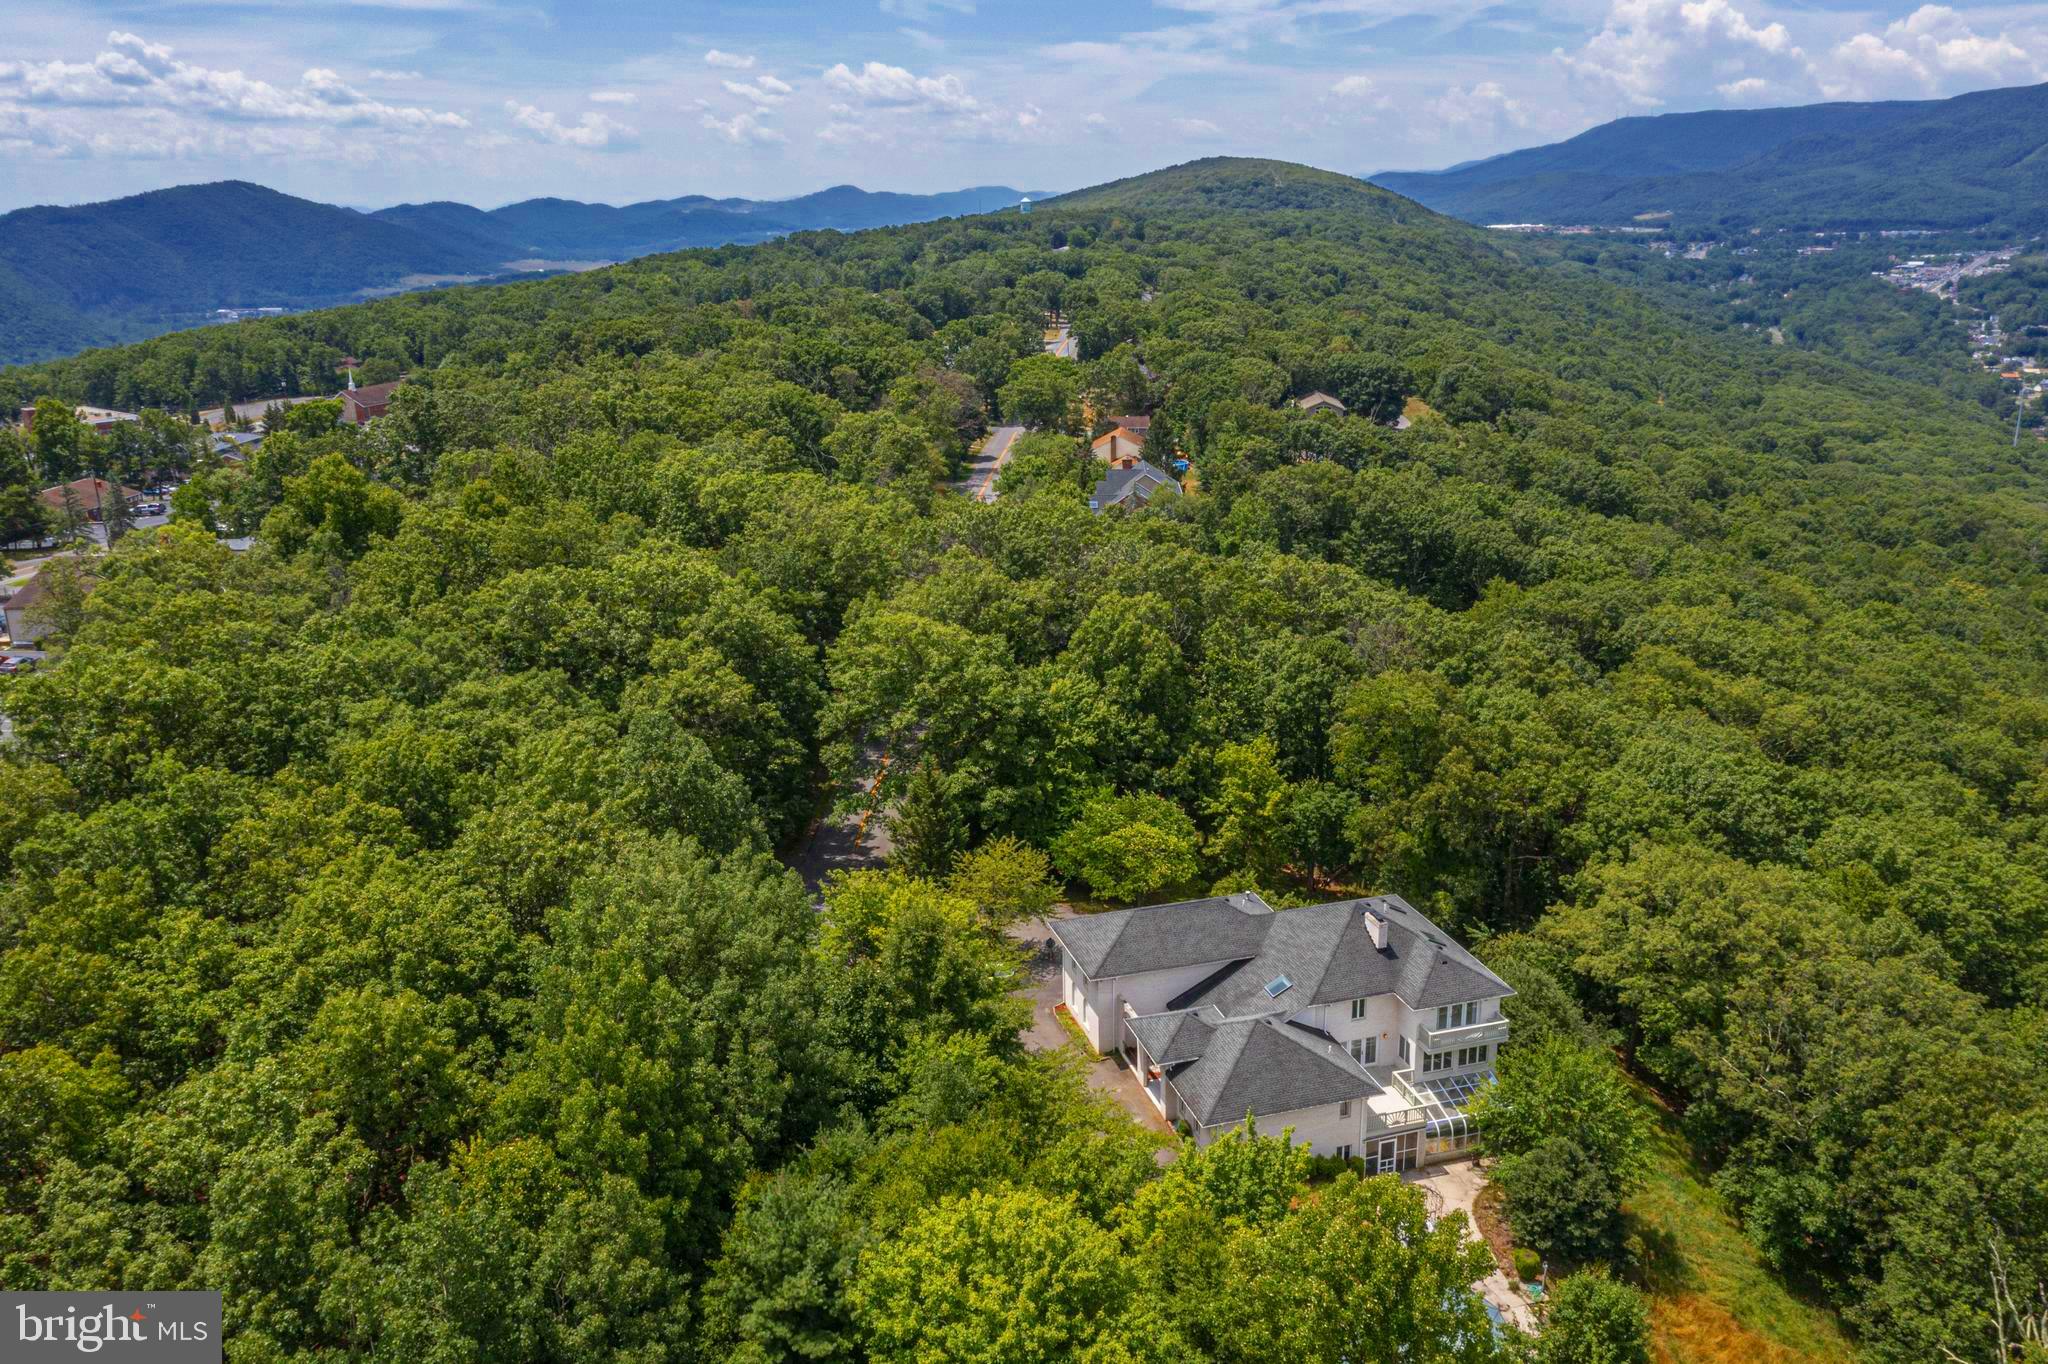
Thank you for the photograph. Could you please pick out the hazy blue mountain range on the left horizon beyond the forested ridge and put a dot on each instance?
(153, 263)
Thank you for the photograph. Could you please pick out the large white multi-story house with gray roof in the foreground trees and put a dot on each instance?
(1359, 1025)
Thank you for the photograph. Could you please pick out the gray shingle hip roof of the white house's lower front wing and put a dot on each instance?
(1258, 1066)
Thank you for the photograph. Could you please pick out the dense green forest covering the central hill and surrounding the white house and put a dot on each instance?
(394, 935)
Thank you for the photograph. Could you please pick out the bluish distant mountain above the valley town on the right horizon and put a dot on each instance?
(1963, 163)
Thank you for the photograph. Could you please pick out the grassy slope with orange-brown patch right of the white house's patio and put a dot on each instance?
(1713, 1299)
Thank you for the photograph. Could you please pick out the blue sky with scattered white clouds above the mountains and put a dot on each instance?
(490, 101)
